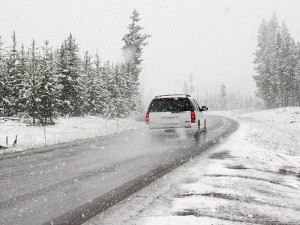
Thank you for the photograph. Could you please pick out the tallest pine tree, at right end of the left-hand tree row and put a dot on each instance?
(134, 42)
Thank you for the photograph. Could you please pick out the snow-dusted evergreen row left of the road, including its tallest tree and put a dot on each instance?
(42, 82)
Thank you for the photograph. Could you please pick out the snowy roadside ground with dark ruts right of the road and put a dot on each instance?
(252, 177)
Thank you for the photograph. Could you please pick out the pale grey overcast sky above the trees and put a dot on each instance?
(213, 40)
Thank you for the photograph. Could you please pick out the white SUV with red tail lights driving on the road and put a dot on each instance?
(170, 112)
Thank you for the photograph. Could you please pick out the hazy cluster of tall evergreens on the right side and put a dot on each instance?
(277, 62)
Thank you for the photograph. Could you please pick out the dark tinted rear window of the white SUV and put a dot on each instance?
(170, 105)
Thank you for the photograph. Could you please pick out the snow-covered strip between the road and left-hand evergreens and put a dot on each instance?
(65, 130)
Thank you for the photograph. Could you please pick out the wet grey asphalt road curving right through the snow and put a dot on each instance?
(71, 183)
